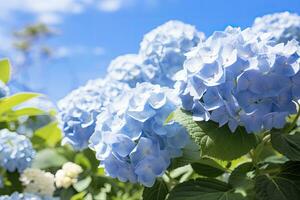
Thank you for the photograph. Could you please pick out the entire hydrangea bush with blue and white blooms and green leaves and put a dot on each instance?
(185, 118)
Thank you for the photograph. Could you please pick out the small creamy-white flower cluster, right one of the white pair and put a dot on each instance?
(68, 175)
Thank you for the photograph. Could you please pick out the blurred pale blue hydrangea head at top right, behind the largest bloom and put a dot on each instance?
(284, 26)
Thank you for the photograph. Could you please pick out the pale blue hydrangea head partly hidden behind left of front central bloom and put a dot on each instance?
(78, 110)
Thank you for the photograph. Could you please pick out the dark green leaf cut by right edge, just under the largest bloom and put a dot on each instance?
(287, 144)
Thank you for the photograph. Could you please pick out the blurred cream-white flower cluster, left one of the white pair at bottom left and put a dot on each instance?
(38, 182)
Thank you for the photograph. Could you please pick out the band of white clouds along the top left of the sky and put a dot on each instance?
(52, 11)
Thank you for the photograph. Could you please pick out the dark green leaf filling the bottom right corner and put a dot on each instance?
(275, 188)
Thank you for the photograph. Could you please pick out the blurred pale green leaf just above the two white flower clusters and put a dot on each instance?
(48, 158)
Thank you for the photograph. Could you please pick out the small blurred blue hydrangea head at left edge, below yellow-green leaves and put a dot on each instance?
(16, 152)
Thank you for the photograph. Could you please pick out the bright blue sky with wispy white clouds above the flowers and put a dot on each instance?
(93, 32)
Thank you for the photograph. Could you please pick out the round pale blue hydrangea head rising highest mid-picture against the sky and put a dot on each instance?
(163, 50)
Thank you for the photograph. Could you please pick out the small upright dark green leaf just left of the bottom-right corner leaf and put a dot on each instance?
(242, 176)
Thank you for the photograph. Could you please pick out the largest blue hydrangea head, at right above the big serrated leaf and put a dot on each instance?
(236, 77)
